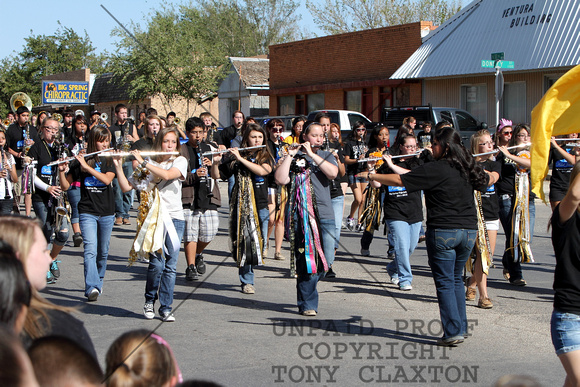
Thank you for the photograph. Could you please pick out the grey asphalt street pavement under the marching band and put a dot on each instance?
(367, 332)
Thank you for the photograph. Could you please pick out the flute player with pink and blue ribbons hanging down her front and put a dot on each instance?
(309, 219)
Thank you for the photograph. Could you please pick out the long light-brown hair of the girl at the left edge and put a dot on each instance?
(18, 232)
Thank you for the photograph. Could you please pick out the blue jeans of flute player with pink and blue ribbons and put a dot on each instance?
(307, 294)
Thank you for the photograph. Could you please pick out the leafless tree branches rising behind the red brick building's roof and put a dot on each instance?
(339, 16)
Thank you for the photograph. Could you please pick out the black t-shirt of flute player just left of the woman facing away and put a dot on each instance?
(400, 204)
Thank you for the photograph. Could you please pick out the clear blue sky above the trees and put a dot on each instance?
(41, 16)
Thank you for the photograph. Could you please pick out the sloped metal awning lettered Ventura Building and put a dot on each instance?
(534, 35)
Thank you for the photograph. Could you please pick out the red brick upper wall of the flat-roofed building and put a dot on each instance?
(362, 55)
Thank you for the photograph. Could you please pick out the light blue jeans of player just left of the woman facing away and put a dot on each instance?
(405, 238)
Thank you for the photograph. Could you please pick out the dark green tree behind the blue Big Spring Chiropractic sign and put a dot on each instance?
(42, 55)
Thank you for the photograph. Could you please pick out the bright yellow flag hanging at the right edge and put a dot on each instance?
(556, 114)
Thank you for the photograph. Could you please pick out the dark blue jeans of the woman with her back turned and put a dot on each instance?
(448, 250)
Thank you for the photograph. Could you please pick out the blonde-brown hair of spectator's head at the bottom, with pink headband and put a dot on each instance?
(139, 358)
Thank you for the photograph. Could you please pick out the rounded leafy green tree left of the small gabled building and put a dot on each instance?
(169, 59)
